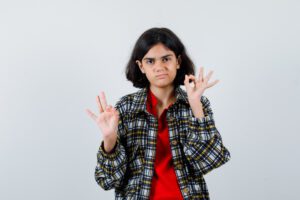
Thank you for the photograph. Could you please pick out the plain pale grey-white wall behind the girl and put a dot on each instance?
(56, 56)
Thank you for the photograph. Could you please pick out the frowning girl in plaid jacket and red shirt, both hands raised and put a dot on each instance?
(159, 141)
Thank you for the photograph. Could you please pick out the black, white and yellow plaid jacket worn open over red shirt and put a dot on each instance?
(196, 147)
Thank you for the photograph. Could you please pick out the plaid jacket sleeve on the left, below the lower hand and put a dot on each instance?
(111, 167)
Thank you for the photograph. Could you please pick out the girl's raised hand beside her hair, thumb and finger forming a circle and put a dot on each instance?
(200, 84)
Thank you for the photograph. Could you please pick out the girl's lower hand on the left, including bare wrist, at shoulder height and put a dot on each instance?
(107, 120)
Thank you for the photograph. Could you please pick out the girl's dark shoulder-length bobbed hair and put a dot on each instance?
(144, 43)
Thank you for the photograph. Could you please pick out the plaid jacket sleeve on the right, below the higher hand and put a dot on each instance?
(204, 148)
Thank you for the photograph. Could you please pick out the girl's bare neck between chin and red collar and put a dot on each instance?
(164, 96)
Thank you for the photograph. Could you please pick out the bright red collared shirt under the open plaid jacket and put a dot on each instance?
(164, 184)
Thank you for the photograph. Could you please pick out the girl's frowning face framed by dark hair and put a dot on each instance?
(159, 65)
